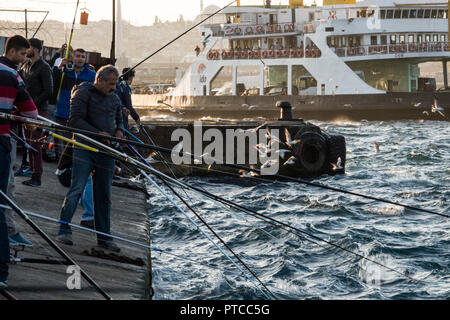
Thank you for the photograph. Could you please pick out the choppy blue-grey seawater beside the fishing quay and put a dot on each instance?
(412, 167)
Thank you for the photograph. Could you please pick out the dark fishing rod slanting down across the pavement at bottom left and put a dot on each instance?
(61, 252)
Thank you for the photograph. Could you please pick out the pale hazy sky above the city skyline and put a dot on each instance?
(137, 12)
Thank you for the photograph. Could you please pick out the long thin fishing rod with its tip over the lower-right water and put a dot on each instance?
(124, 157)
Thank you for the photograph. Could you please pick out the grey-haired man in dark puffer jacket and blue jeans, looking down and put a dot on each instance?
(94, 107)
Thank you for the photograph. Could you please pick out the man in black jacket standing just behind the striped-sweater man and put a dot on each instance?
(38, 78)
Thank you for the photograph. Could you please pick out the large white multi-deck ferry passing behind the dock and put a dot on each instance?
(345, 59)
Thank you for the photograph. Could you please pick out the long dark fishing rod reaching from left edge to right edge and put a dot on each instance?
(47, 124)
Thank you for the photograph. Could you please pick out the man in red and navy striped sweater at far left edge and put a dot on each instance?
(12, 93)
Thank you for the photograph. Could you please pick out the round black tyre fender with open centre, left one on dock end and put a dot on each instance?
(311, 151)
